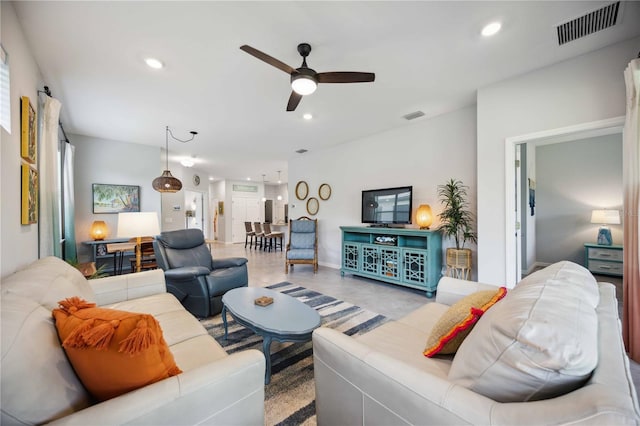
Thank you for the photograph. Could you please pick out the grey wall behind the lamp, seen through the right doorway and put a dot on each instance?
(575, 178)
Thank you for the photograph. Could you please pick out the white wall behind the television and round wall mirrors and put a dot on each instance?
(424, 154)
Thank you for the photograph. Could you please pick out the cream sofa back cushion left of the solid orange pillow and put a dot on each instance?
(38, 383)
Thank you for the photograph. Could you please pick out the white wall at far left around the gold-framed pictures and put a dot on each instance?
(19, 244)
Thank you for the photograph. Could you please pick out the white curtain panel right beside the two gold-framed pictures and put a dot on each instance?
(48, 167)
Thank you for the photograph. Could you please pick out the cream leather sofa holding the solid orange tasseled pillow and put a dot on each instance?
(39, 385)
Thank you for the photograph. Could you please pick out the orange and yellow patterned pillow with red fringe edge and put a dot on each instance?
(451, 329)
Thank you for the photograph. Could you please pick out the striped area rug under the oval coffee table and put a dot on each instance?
(290, 397)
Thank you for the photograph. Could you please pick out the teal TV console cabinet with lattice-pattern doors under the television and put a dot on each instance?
(407, 257)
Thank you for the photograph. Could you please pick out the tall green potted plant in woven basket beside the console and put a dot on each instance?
(456, 222)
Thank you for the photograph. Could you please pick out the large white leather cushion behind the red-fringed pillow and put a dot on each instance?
(541, 341)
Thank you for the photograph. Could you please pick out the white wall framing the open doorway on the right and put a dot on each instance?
(584, 89)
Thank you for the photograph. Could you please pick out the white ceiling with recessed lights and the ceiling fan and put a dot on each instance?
(427, 56)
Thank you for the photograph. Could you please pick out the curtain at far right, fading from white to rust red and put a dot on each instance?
(631, 177)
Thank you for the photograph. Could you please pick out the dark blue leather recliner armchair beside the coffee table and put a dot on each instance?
(196, 279)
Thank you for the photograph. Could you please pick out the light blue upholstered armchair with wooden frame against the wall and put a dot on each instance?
(303, 243)
